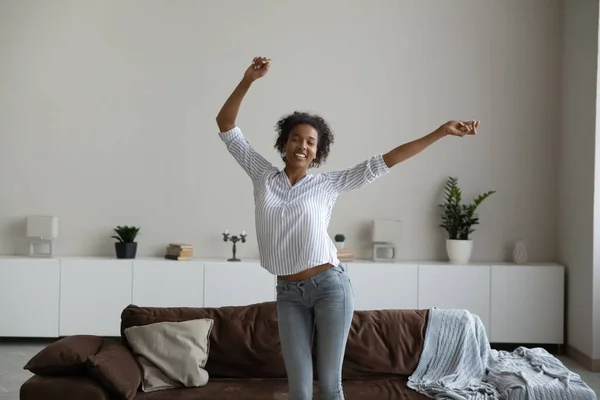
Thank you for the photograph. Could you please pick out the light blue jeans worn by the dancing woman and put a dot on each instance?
(325, 303)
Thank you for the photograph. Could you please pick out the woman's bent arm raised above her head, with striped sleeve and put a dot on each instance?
(237, 144)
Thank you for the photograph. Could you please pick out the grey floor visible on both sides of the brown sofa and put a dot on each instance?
(14, 355)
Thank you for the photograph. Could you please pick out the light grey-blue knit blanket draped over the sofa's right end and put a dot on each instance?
(457, 363)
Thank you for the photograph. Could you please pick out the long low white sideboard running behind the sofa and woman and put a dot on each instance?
(66, 296)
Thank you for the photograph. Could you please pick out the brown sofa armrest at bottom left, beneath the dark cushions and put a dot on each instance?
(62, 388)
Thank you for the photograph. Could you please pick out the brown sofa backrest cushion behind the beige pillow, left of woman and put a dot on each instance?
(244, 341)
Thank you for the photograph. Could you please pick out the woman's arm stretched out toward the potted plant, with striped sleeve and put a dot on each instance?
(376, 166)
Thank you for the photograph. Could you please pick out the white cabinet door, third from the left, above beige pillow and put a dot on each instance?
(165, 283)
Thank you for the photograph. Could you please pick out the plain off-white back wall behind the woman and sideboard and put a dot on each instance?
(108, 115)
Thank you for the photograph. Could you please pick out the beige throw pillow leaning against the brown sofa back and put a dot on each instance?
(172, 354)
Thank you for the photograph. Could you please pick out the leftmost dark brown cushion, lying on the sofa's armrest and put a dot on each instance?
(66, 356)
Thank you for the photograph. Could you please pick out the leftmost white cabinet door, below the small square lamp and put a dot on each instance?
(29, 297)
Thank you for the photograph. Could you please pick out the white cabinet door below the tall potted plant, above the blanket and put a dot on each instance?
(458, 287)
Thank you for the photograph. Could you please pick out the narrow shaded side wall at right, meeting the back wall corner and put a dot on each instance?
(577, 144)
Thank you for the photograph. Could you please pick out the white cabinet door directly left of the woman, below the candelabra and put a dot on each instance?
(237, 284)
